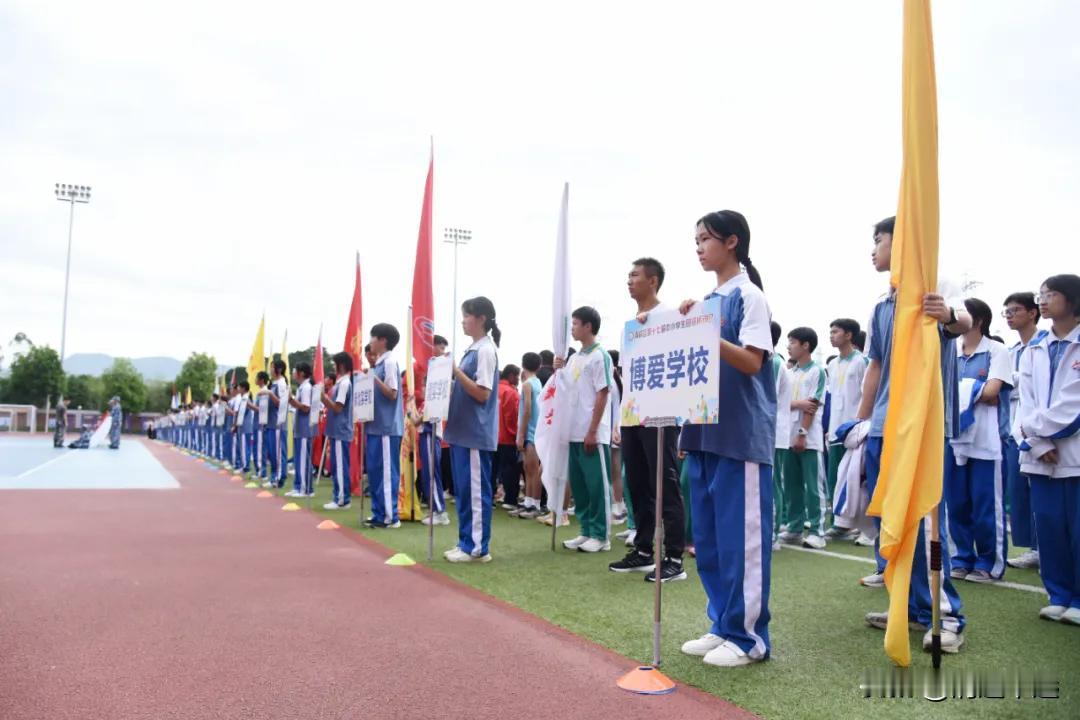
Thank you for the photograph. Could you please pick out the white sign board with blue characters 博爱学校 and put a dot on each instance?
(671, 368)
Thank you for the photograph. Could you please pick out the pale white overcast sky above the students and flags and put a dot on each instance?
(241, 157)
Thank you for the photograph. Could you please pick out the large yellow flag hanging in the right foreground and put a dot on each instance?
(912, 461)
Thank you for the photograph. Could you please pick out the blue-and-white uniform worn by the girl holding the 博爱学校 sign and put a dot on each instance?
(730, 467)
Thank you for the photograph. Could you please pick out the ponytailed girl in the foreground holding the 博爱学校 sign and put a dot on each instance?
(731, 467)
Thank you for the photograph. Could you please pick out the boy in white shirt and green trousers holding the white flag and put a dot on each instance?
(590, 463)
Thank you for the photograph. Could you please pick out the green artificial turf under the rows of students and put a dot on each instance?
(821, 644)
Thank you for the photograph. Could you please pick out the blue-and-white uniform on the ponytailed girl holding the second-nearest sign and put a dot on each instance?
(472, 432)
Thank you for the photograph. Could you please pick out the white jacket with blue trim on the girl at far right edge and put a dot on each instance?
(1050, 405)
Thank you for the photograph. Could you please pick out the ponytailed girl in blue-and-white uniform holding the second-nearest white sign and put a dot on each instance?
(472, 431)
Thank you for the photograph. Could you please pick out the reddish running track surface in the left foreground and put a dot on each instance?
(208, 603)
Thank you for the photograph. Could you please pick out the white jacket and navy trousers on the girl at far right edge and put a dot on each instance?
(1050, 420)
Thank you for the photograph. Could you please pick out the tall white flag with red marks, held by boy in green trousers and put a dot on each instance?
(553, 432)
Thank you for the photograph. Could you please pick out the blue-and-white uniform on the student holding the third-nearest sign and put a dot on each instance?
(384, 444)
